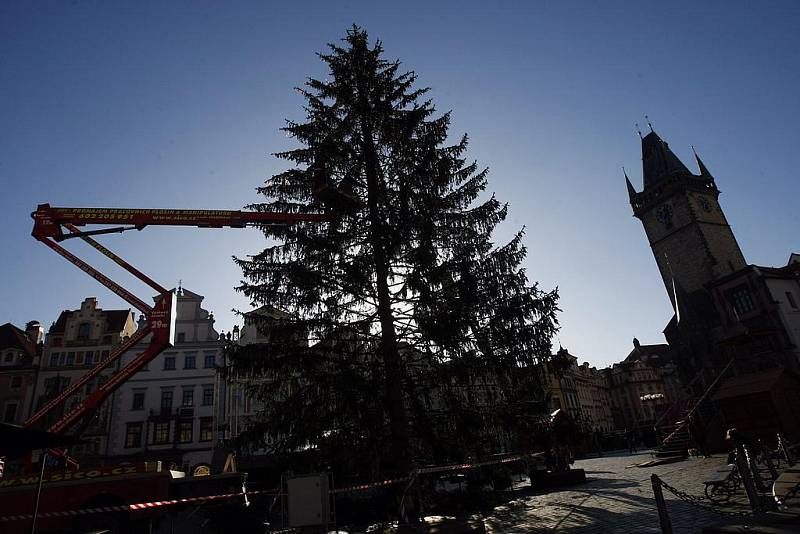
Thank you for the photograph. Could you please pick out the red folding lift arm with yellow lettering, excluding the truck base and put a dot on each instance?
(55, 224)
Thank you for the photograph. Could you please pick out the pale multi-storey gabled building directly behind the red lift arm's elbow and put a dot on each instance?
(172, 409)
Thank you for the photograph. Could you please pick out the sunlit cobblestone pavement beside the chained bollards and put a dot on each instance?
(616, 498)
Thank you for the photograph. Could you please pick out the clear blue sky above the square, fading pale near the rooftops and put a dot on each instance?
(178, 104)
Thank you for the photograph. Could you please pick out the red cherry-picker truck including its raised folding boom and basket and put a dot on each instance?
(117, 494)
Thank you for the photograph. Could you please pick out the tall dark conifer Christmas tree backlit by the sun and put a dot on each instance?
(404, 335)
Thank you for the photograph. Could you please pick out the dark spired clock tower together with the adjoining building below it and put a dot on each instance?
(724, 308)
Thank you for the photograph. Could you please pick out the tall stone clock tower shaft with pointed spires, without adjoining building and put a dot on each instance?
(691, 240)
